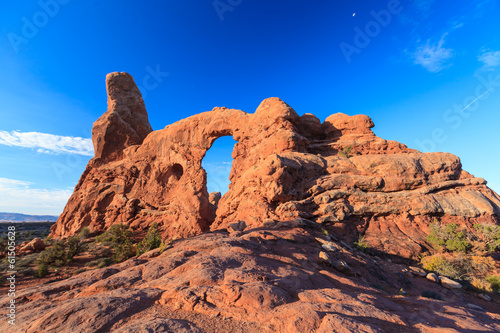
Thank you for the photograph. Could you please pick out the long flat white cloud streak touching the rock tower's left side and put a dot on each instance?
(48, 143)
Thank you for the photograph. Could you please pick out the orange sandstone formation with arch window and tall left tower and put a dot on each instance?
(337, 173)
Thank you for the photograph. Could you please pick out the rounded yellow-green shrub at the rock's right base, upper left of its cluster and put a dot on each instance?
(449, 237)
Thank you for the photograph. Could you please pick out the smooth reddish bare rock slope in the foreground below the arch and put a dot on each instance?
(264, 280)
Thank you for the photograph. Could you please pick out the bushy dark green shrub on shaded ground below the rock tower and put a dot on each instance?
(119, 237)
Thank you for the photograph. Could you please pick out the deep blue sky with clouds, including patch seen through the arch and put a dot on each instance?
(426, 71)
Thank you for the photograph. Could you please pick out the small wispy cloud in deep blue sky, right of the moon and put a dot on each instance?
(433, 57)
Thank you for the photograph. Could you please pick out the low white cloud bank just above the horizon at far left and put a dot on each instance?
(20, 196)
